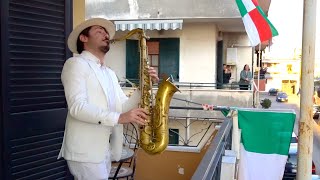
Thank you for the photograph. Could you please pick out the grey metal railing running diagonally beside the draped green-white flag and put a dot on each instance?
(210, 165)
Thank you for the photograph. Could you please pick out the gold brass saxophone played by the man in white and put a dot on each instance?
(154, 136)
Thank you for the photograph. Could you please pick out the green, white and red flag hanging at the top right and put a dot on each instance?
(256, 23)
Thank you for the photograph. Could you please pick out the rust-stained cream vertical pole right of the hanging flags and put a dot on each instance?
(305, 143)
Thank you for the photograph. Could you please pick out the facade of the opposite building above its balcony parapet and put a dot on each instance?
(189, 38)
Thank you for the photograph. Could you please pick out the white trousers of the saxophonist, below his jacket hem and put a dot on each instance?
(90, 171)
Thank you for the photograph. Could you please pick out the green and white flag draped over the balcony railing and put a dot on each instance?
(265, 142)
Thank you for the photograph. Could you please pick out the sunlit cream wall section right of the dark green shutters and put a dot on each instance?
(198, 53)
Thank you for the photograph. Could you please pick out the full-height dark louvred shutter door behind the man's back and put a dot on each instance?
(33, 51)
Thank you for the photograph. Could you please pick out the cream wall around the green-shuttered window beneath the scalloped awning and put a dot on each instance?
(197, 52)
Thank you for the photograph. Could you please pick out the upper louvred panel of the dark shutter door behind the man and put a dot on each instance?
(37, 54)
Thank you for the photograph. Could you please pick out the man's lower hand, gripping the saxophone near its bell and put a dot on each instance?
(137, 115)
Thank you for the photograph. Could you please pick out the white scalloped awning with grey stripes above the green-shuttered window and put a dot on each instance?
(149, 25)
